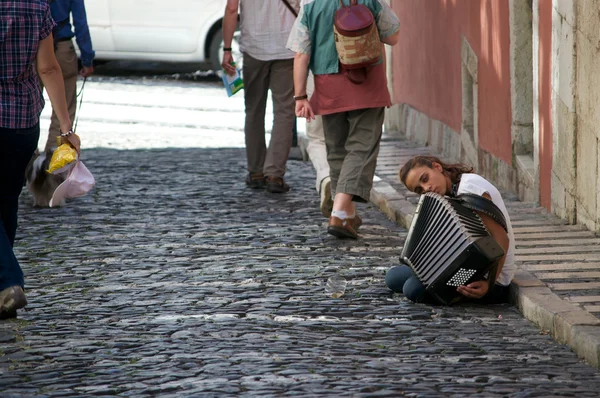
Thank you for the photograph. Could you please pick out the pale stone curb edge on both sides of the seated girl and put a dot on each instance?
(565, 321)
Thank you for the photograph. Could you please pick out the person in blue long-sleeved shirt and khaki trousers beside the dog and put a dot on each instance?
(62, 10)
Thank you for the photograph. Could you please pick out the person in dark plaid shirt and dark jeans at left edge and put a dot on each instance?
(26, 44)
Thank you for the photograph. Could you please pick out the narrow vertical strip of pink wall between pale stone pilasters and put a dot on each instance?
(545, 100)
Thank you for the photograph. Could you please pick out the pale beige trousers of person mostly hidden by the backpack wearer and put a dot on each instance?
(317, 151)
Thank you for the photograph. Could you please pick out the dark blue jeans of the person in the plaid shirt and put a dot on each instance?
(16, 149)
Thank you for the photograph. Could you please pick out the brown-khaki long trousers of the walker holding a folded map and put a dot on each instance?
(259, 77)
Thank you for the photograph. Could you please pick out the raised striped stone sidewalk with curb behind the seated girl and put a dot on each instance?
(557, 285)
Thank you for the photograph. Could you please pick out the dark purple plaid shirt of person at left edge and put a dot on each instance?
(23, 24)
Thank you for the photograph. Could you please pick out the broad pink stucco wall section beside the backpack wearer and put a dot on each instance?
(427, 64)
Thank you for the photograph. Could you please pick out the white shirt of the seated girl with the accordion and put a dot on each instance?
(476, 184)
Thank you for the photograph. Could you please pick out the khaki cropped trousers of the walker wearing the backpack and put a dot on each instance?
(352, 140)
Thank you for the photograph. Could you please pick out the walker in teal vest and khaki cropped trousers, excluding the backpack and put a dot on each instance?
(352, 113)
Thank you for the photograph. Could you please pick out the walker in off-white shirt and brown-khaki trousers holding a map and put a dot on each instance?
(268, 65)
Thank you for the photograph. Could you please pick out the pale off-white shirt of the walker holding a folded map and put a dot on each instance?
(265, 26)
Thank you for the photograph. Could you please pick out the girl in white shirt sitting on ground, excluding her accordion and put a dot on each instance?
(429, 174)
